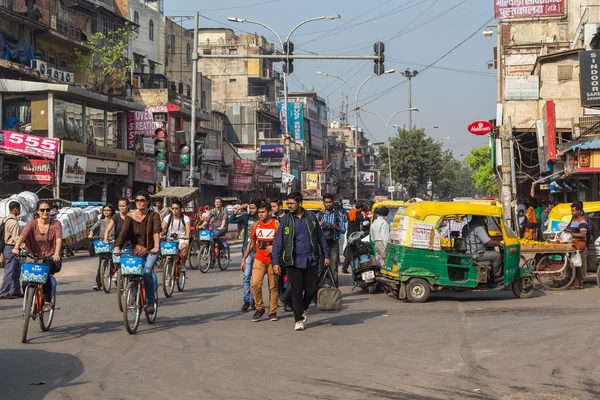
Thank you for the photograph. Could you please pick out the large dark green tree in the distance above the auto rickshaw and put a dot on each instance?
(416, 158)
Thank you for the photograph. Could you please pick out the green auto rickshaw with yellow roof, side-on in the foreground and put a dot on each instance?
(426, 252)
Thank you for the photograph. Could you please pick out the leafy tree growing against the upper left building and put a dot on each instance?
(106, 64)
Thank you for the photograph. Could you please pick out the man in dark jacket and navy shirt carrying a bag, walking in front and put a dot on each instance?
(298, 247)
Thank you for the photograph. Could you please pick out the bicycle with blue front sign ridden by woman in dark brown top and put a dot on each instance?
(132, 267)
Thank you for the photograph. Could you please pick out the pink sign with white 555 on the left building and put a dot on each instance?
(29, 145)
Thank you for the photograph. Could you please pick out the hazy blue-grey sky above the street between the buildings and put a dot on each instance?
(452, 93)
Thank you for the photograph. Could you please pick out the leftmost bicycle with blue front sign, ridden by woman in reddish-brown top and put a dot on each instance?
(36, 274)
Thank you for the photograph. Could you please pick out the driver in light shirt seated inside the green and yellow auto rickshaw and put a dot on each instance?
(478, 242)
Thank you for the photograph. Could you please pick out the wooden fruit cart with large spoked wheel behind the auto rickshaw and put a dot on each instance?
(550, 263)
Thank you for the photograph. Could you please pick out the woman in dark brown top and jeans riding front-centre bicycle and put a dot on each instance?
(142, 229)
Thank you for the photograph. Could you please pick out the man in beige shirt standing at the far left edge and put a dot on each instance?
(12, 269)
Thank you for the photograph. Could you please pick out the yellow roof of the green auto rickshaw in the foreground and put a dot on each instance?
(421, 210)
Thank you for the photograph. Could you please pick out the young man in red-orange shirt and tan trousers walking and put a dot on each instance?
(262, 235)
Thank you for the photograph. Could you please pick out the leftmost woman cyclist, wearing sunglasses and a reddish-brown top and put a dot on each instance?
(43, 238)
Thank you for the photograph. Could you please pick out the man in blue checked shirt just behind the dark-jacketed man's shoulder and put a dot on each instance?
(334, 225)
